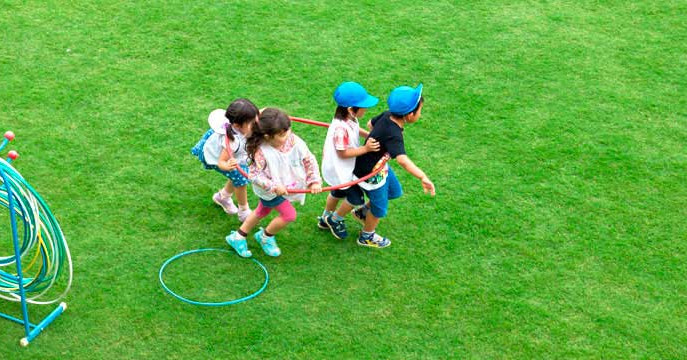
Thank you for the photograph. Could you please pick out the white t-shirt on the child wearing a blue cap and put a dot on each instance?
(341, 135)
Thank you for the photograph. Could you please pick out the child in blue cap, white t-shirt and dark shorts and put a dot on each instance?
(341, 146)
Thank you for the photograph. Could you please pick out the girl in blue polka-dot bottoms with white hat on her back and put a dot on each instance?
(223, 148)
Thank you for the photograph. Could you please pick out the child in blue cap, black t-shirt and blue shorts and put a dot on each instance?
(405, 107)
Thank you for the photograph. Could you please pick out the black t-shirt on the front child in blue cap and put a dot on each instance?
(390, 138)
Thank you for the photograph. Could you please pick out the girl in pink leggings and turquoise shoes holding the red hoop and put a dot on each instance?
(280, 160)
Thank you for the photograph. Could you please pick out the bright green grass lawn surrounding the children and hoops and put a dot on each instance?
(556, 134)
